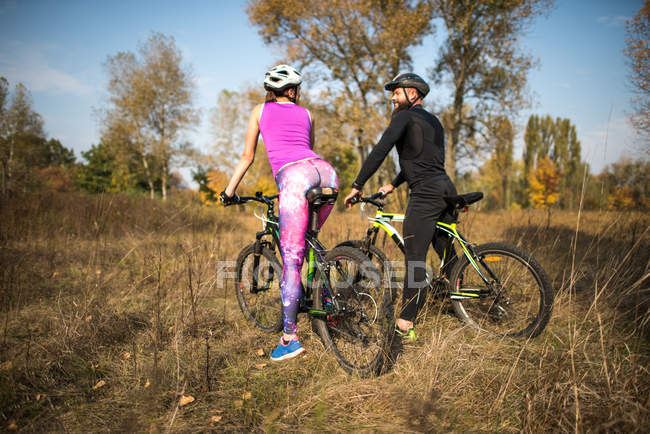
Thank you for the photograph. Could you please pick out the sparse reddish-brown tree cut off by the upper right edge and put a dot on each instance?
(638, 53)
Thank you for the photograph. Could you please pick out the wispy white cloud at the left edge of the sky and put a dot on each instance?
(21, 63)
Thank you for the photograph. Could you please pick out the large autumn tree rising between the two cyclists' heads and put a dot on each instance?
(353, 47)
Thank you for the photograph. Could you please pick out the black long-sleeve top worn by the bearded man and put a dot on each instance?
(420, 141)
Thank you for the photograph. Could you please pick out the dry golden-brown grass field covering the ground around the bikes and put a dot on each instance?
(98, 289)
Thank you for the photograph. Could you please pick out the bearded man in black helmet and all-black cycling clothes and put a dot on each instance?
(420, 141)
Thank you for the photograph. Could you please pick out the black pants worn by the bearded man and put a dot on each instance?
(426, 206)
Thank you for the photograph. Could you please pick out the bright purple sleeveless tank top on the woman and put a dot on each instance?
(286, 132)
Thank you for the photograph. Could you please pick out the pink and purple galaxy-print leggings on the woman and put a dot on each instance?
(294, 181)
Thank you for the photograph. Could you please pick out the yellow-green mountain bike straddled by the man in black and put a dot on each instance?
(494, 287)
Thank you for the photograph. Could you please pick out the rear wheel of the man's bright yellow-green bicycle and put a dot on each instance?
(518, 300)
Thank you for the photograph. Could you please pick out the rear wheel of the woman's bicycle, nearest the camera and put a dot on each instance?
(359, 328)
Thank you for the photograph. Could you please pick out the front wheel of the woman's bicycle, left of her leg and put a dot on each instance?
(258, 288)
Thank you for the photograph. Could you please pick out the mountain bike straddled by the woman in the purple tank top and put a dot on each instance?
(349, 307)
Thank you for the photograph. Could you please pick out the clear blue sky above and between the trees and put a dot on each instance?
(57, 49)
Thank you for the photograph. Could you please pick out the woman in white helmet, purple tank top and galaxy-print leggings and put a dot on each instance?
(288, 133)
